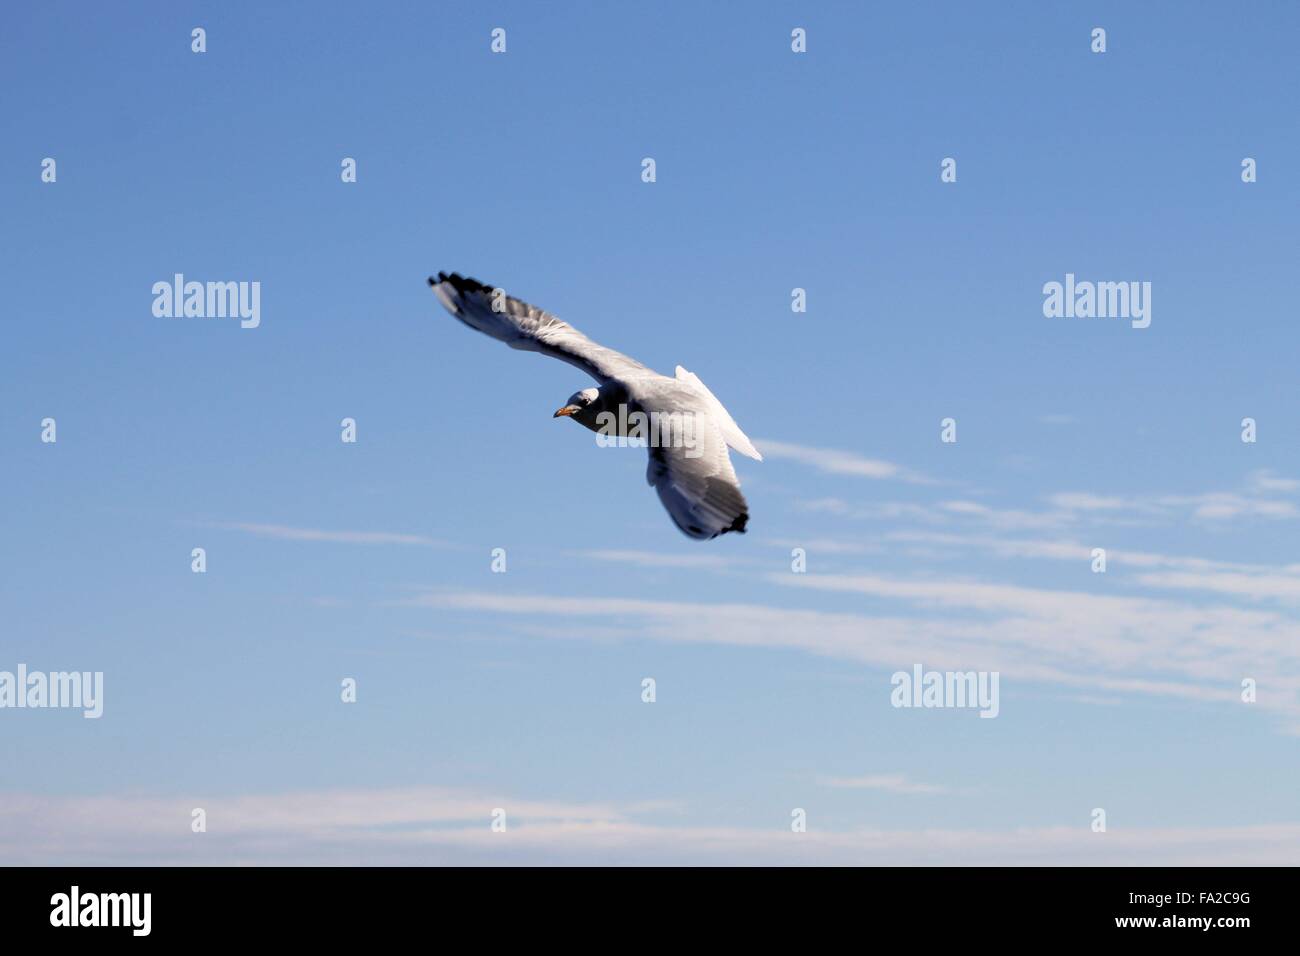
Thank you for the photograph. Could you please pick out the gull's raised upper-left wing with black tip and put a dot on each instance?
(526, 327)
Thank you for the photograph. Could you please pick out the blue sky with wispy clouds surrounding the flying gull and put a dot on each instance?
(523, 690)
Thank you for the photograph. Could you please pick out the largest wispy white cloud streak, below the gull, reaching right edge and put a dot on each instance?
(1077, 641)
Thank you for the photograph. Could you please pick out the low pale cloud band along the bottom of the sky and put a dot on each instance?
(422, 827)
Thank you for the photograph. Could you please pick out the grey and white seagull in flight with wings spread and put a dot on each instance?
(694, 474)
